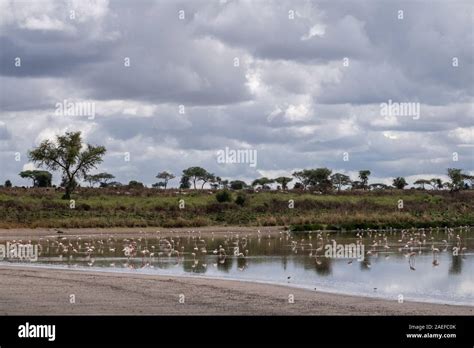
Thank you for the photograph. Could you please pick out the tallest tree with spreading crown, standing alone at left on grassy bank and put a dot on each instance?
(68, 155)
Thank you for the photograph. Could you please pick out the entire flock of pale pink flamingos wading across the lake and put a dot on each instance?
(193, 246)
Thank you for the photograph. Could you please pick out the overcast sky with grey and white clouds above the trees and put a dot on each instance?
(300, 82)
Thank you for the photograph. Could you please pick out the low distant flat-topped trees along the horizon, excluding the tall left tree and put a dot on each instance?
(319, 179)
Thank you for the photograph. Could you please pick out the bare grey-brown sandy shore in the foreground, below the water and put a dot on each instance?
(35, 291)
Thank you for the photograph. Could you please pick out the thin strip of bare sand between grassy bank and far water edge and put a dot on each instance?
(125, 232)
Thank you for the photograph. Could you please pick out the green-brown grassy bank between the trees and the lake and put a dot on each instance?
(32, 208)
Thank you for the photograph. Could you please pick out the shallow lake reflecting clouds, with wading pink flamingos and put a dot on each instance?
(433, 265)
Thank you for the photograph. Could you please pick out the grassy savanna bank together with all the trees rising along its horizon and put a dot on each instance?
(320, 199)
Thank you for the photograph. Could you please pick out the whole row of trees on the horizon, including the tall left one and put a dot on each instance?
(75, 162)
